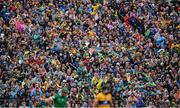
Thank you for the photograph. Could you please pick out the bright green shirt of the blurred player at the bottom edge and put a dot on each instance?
(60, 101)
